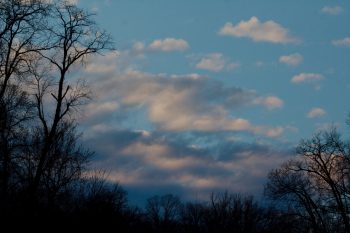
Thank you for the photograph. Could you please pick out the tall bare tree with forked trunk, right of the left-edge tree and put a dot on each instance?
(73, 36)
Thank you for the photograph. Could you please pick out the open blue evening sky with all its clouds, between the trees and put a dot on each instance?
(203, 96)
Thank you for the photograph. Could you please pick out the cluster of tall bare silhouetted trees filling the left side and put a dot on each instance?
(40, 156)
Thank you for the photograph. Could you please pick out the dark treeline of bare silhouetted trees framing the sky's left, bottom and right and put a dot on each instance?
(44, 170)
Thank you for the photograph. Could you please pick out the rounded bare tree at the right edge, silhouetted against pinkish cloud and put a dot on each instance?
(317, 181)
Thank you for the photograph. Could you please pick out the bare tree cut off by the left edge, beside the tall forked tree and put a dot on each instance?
(20, 24)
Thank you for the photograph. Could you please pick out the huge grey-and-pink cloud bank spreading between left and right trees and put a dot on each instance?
(174, 132)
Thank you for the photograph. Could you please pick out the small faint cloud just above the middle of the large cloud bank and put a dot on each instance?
(216, 62)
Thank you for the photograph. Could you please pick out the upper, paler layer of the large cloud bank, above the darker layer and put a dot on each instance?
(174, 102)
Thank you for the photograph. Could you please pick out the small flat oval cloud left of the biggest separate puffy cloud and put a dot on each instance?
(168, 45)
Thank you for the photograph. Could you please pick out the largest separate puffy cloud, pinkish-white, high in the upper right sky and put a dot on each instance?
(268, 31)
